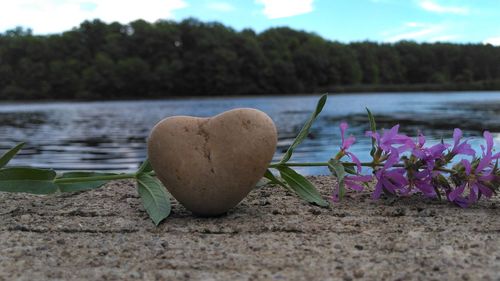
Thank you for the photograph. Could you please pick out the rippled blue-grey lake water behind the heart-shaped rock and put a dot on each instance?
(111, 135)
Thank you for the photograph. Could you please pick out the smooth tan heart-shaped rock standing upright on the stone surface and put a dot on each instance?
(210, 164)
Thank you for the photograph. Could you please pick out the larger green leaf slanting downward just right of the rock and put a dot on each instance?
(301, 186)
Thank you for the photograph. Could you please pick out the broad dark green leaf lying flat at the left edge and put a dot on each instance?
(28, 180)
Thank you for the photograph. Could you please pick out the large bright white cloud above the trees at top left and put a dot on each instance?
(52, 16)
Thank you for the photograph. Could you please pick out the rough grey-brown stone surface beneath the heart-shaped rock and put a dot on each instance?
(106, 235)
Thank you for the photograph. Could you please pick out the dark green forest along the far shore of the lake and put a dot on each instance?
(98, 61)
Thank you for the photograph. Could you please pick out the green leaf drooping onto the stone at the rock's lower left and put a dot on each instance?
(154, 197)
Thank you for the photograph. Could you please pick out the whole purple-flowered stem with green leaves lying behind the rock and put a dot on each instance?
(400, 166)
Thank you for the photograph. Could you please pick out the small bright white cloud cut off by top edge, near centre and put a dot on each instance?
(274, 9)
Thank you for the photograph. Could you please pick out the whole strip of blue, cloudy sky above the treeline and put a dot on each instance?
(461, 21)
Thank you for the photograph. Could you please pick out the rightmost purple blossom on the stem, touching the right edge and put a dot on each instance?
(479, 177)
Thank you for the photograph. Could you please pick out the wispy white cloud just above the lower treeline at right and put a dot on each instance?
(420, 31)
